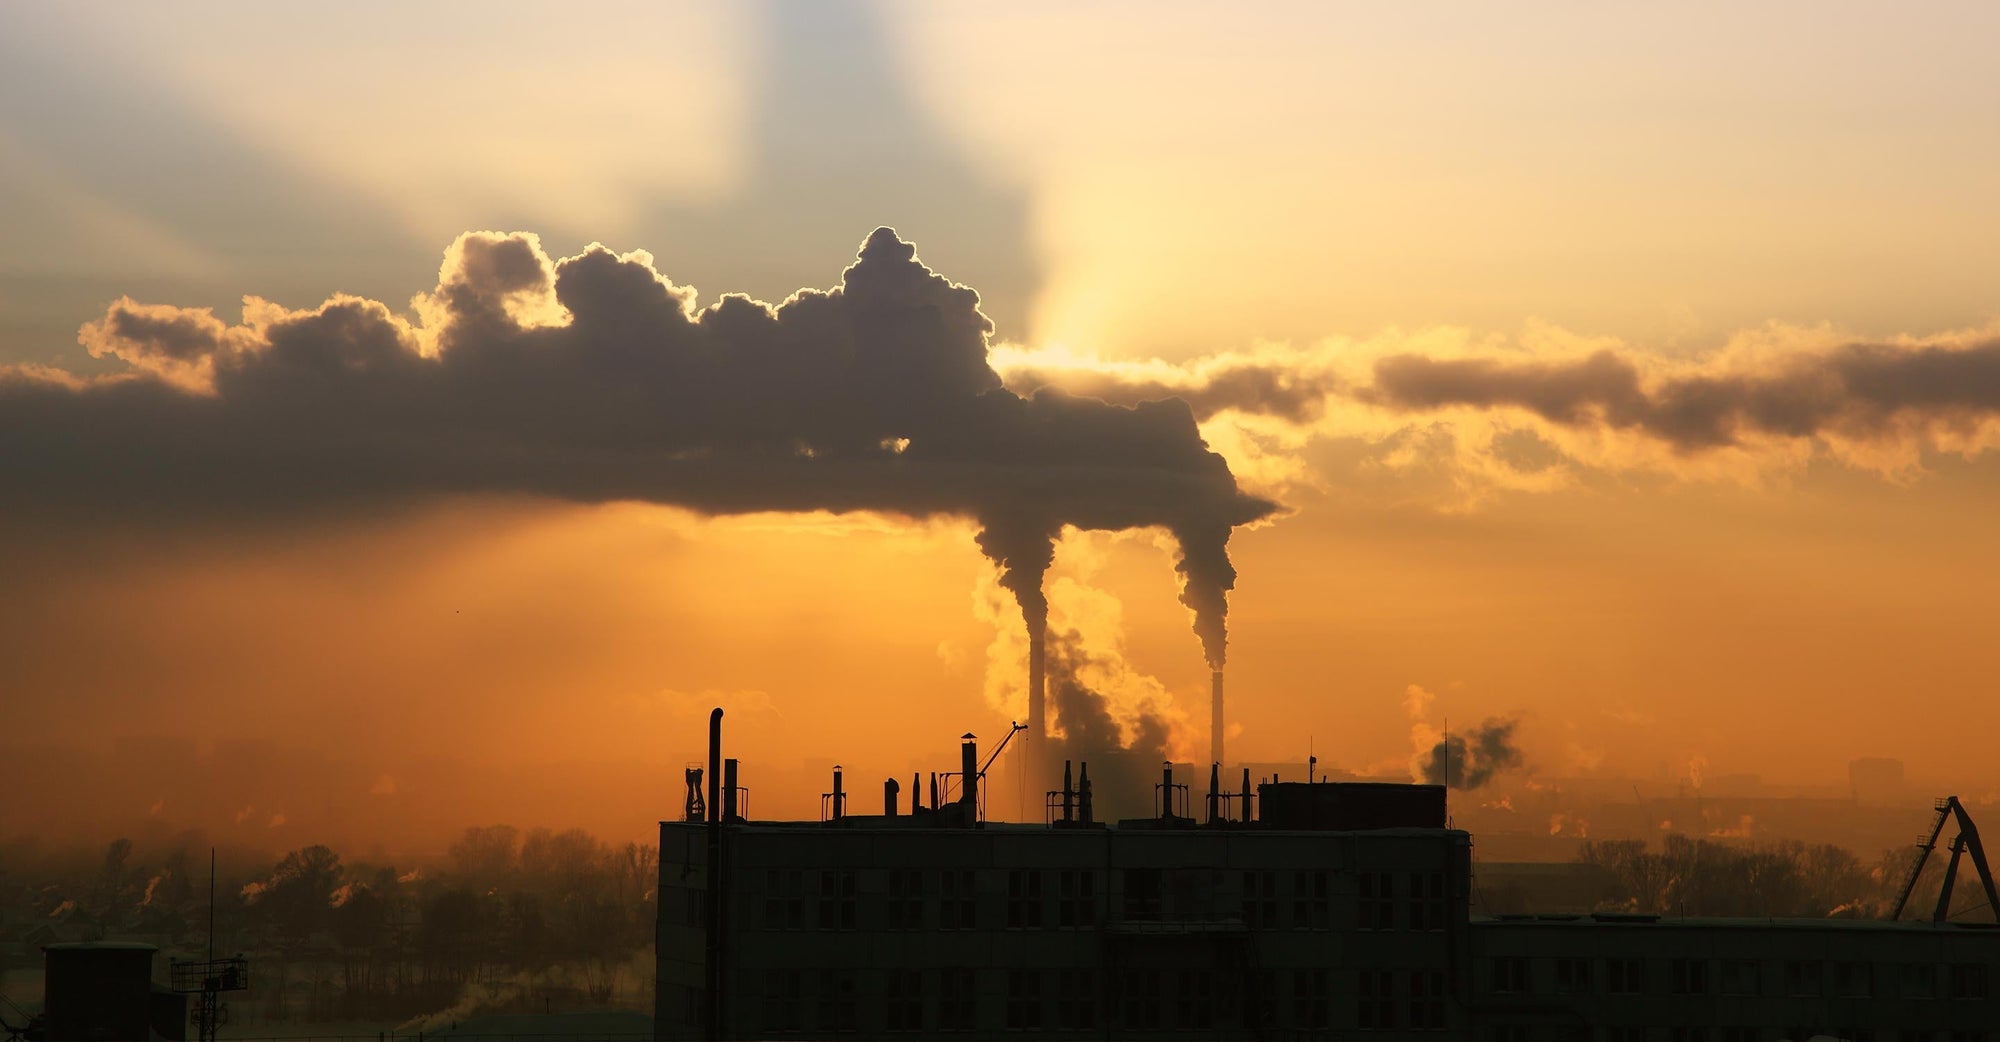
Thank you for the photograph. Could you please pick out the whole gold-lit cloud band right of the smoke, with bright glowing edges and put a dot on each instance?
(1543, 409)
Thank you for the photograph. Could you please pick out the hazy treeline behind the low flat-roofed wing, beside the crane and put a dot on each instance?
(1691, 877)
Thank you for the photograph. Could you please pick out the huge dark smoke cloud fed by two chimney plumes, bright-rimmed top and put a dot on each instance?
(869, 397)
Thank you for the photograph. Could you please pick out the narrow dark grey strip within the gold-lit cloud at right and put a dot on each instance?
(1857, 391)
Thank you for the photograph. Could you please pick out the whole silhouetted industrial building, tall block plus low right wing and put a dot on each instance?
(1291, 911)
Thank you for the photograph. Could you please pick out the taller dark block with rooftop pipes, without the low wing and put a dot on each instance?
(1337, 909)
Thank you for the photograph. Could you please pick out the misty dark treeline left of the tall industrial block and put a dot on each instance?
(533, 919)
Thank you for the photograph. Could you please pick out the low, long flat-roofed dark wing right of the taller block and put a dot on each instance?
(1649, 979)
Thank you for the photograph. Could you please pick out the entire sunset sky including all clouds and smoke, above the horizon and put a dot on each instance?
(1625, 373)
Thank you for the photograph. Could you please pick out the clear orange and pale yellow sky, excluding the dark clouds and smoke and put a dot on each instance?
(1315, 191)
